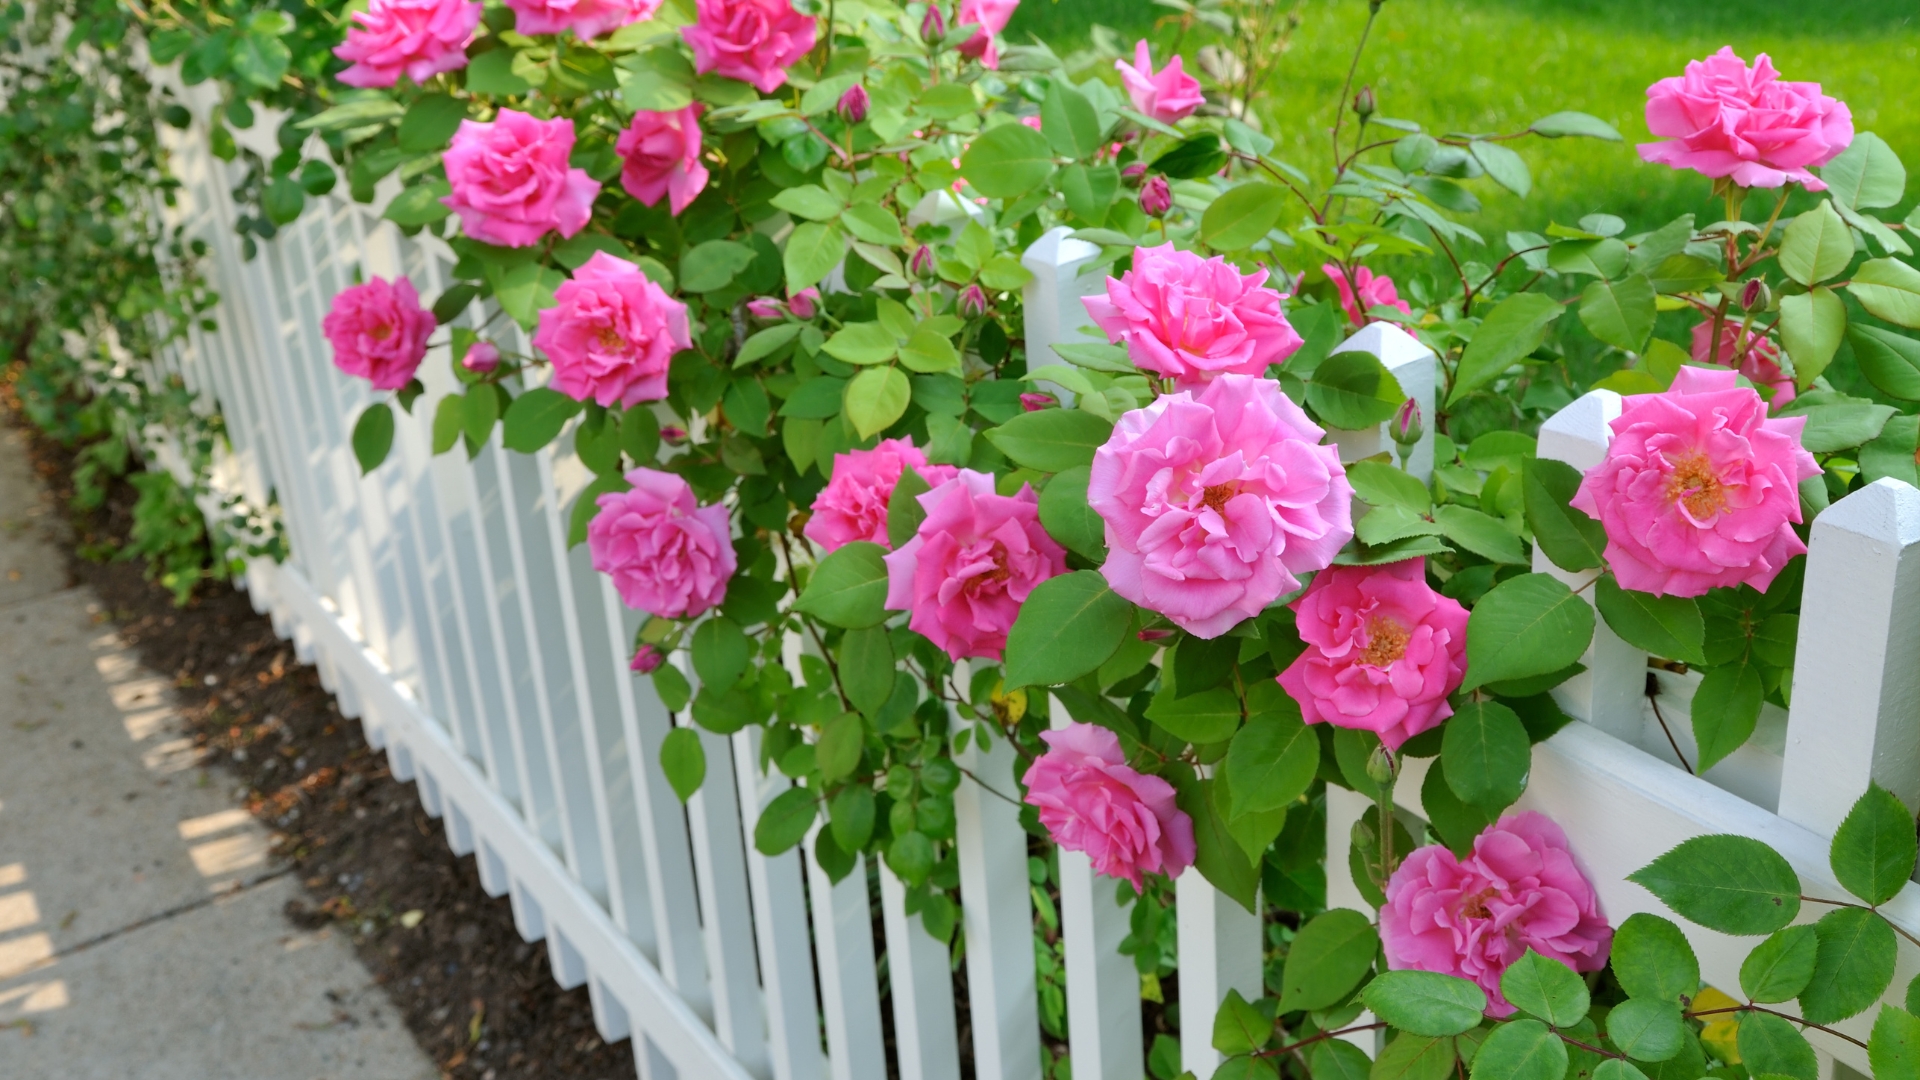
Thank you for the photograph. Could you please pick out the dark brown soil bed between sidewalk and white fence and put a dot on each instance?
(481, 1002)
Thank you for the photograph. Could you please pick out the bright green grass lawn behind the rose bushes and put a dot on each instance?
(1499, 64)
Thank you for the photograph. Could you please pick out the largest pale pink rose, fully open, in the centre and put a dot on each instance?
(1214, 504)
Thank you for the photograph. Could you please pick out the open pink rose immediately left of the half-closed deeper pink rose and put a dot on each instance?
(512, 184)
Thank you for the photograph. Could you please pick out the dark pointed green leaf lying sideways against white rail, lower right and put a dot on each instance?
(1733, 885)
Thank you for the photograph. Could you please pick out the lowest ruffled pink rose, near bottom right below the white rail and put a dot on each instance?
(1474, 918)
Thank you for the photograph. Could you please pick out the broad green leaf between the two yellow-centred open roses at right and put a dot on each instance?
(1525, 626)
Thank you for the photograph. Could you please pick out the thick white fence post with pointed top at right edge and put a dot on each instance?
(1858, 666)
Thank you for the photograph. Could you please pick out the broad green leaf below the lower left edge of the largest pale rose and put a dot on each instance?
(1065, 629)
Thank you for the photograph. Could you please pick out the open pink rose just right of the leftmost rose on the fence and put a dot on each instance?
(612, 333)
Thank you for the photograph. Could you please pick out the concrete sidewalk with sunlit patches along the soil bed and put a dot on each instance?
(141, 931)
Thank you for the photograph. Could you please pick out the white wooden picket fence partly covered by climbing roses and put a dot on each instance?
(444, 610)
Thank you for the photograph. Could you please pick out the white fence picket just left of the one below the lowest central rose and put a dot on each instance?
(997, 914)
